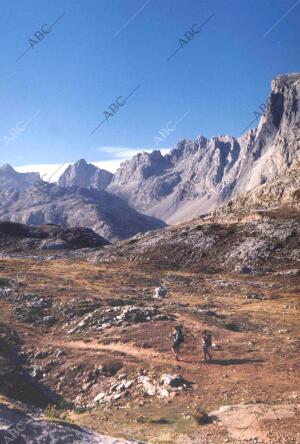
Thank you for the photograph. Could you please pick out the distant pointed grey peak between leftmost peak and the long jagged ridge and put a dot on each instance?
(84, 175)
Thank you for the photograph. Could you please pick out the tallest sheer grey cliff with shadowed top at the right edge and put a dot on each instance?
(276, 146)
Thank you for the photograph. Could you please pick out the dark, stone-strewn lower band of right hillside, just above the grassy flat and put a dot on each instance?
(239, 246)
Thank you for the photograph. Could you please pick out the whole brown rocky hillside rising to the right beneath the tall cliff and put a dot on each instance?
(256, 231)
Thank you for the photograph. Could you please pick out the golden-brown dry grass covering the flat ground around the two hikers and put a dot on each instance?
(243, 372)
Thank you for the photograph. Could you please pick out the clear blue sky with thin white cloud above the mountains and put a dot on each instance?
(102, 50)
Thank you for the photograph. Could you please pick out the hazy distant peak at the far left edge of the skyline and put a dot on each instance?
(9, 178)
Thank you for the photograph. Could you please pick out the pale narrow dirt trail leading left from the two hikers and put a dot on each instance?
(140, 353)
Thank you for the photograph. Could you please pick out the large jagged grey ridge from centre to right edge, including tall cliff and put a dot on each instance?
(197, 176)
